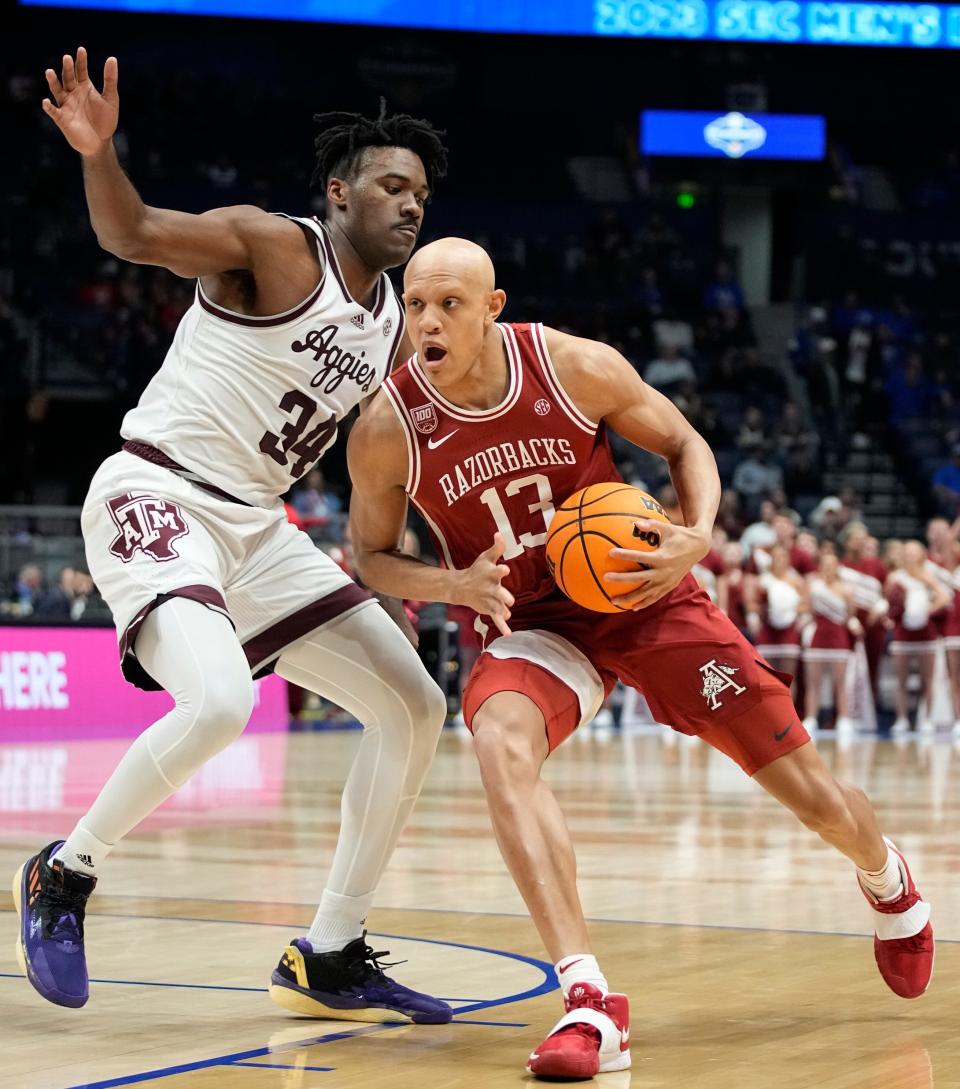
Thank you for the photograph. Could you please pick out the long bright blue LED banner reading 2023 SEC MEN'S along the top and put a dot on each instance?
(917, 26)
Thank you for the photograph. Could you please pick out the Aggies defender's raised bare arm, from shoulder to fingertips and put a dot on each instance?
(219, 241)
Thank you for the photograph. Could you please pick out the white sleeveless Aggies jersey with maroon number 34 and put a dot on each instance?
(250, 405)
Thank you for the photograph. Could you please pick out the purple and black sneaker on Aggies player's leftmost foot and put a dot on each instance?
(51, 902)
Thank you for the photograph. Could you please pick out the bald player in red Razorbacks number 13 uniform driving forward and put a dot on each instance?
(485, 430)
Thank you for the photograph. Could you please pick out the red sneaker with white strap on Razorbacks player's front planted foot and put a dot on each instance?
(593, 1037)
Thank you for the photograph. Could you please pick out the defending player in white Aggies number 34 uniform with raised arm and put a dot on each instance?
(294, 324)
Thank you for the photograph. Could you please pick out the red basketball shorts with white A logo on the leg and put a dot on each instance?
(696, 670)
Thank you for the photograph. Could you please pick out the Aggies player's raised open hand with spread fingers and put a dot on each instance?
(87, 117)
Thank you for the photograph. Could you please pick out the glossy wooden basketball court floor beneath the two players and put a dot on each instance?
(742, 940)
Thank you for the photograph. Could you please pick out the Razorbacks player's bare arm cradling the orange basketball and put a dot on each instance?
(605, 387)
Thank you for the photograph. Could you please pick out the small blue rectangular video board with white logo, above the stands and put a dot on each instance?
(720, 134)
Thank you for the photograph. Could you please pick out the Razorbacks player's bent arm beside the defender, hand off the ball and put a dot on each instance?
(378, 462)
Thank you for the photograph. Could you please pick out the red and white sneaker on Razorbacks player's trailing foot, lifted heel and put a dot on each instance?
(904, 945)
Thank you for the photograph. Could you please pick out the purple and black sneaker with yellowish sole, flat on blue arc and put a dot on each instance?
(349, 985)
